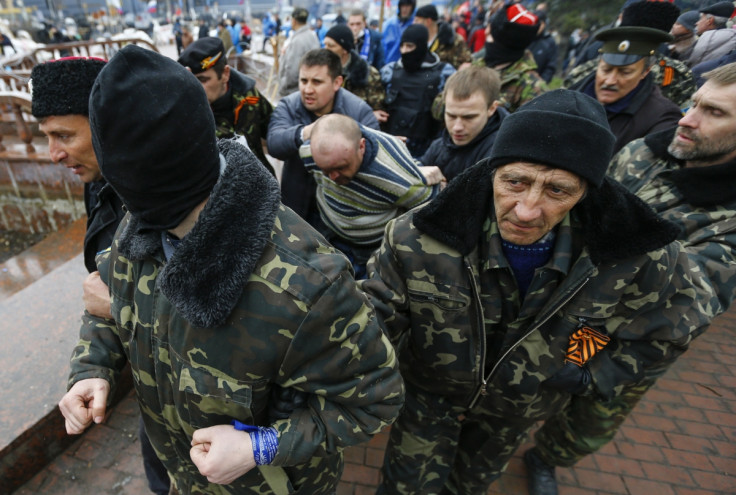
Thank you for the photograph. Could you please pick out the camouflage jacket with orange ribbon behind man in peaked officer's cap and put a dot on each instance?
(674, 78)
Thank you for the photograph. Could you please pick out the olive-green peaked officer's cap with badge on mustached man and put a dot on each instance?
(627, 45)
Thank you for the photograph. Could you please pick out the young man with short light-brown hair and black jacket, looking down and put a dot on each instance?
(472, 118)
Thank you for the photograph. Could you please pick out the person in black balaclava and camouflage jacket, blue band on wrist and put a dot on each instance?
(220, 296)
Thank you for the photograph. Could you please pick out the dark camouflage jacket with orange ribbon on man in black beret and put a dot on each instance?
(244, 110)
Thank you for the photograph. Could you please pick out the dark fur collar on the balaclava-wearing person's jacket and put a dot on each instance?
(206, 275)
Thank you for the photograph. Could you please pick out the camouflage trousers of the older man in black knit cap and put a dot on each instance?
(436, 448)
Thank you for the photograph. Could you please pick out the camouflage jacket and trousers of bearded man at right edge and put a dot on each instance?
(708, 237)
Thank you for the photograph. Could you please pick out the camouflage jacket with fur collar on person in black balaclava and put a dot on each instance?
(212, 331)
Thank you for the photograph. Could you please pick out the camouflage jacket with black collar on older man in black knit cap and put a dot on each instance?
(448, 299)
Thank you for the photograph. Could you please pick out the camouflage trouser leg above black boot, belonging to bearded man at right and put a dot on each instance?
(585, 425)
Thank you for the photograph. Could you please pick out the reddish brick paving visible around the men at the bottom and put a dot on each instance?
(681, 440)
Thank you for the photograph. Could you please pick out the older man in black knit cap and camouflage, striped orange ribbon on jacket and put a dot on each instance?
(530, 279)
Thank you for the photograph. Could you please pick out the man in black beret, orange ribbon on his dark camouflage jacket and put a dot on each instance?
(238, 106)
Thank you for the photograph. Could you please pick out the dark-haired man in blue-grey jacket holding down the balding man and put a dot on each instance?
(320, 93)
